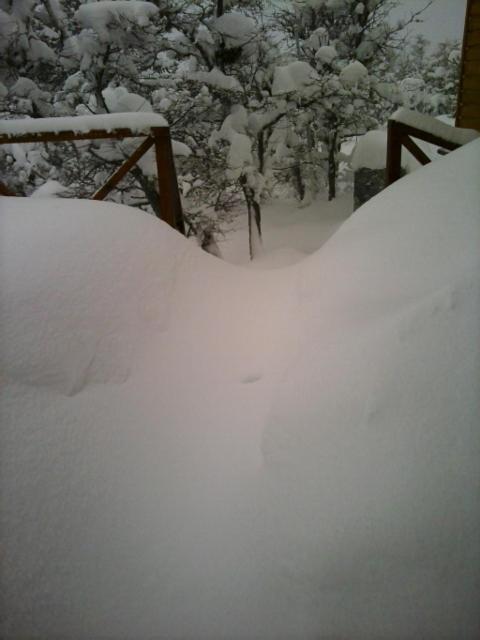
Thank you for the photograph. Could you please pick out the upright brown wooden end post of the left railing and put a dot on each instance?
(169, 197)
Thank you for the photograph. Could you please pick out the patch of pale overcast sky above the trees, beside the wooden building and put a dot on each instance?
(444, 19)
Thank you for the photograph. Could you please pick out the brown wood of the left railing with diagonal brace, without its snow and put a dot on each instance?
(169, 202)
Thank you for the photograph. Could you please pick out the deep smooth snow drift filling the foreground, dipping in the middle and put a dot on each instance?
(195, 450)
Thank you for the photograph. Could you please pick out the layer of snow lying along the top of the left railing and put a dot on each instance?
(137, 122)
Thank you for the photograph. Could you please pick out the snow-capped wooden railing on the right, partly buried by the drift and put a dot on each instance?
(405, 125)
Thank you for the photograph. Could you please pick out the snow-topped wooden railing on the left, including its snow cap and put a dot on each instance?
(109, 126)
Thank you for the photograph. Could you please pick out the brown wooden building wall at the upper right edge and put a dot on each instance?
(468, 106)
